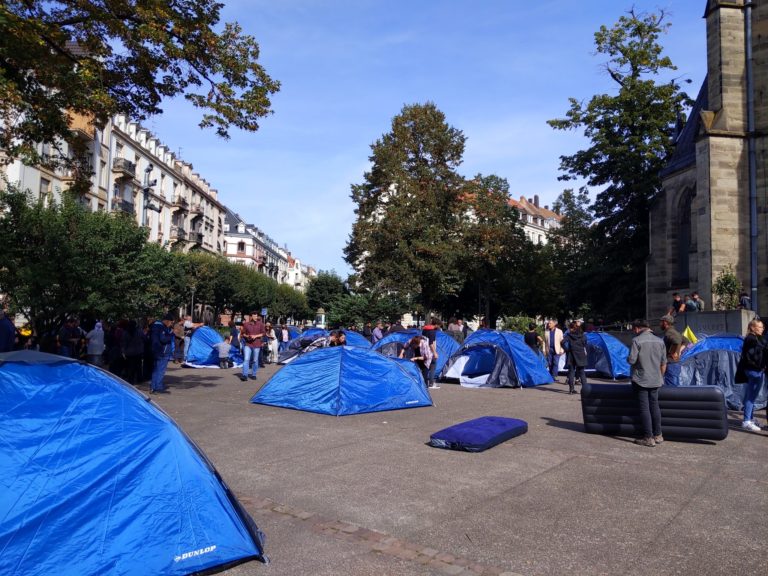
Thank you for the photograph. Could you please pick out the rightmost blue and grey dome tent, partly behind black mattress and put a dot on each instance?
(712, 361)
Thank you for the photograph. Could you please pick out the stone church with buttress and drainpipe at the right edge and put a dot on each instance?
(713, 209)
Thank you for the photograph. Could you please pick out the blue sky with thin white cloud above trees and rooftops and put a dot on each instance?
(498, 69)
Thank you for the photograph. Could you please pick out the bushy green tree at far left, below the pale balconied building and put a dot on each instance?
(62, 259)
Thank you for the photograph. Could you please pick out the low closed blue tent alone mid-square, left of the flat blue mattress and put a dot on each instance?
(345, 380)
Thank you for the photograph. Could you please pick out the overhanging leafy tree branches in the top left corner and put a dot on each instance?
(96, 58)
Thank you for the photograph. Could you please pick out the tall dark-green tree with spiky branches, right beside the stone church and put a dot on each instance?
(629, 135)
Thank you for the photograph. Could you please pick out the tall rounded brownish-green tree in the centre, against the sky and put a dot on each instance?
(407, 238)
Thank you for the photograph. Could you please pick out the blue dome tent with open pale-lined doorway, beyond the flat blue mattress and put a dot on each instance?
(496, 359)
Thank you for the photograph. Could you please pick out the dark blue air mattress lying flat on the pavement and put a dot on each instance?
(478, 434)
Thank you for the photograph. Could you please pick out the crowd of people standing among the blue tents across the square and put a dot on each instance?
(141, 352)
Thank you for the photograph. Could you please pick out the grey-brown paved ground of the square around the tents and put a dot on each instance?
(364, 495)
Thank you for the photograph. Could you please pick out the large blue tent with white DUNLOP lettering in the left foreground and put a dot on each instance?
(96, 479)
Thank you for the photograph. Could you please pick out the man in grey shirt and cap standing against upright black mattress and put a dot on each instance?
(648, 359)
